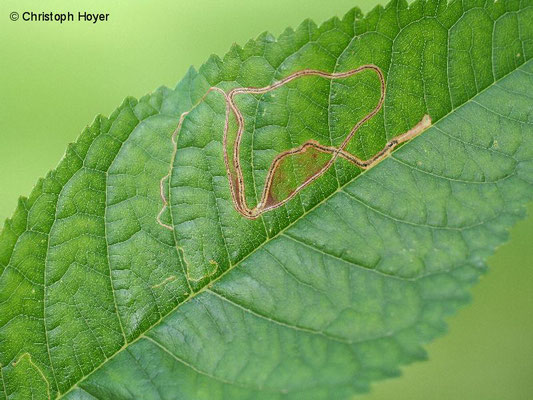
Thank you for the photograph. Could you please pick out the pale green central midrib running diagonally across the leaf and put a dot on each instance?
(289, 225)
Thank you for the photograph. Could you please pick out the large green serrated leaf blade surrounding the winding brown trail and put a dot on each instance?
(316, 298)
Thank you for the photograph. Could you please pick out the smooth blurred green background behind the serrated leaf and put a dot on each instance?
(55, 78)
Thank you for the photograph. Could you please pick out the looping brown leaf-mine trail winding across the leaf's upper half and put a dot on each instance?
(310, 150)
